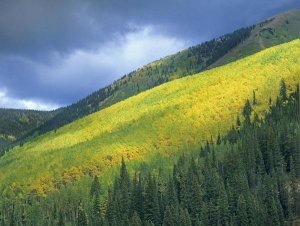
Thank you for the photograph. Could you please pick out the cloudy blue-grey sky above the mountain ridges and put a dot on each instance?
(55, 52)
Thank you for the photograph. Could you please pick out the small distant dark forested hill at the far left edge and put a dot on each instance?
(16, 123)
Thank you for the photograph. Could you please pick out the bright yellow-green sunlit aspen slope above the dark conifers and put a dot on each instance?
(175, 116)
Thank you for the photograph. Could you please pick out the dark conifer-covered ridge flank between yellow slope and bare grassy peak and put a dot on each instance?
(187, 62)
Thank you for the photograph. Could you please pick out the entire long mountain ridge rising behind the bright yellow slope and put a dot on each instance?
(216, 52)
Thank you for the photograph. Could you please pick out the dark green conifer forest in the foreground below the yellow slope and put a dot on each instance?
(248, 177)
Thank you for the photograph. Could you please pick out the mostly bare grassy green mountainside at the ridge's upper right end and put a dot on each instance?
(276, 30)
